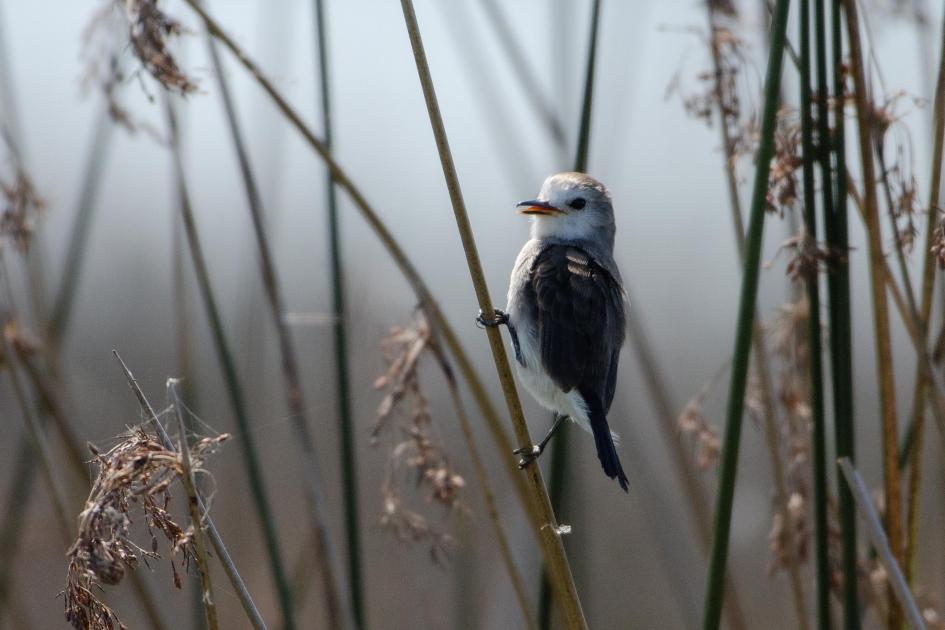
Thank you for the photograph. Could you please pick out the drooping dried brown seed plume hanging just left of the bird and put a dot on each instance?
(417, 449)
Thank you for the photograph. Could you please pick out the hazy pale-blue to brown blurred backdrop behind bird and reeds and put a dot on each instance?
(637, 559)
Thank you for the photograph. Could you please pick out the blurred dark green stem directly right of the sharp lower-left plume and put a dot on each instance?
(231, 380)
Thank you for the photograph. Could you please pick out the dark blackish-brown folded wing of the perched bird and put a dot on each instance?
(581, 320)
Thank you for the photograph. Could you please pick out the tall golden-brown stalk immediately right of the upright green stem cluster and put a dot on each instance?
(887, 389)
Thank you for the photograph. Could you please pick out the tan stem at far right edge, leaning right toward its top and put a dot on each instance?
(928, 281)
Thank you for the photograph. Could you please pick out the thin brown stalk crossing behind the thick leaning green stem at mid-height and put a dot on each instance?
(759, 345)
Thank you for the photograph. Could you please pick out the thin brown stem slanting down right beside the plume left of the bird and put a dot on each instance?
(505, 549)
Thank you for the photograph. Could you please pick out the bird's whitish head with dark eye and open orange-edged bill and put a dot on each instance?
(572, 207)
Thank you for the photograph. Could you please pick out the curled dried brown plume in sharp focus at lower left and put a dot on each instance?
(137, 471)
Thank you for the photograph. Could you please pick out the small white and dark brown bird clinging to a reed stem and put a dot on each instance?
(566, 311)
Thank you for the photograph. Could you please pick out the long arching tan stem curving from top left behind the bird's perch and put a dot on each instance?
(407, 268)
